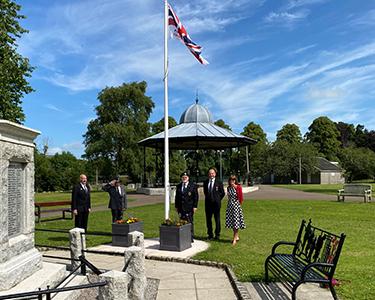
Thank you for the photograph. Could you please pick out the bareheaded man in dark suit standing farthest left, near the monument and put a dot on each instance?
(81, 202)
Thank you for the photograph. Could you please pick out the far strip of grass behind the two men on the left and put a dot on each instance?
(97, 198)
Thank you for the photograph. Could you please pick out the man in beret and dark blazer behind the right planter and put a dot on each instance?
(186, 200)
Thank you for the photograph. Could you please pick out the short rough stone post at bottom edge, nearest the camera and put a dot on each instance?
(116, 288)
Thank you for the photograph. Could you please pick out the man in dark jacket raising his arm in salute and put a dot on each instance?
(117, 198)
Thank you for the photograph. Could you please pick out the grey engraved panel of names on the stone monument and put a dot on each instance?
(15, 186)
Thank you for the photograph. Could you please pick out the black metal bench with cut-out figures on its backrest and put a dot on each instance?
(313, 259)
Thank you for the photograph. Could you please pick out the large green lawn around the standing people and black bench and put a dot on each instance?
(267, 222)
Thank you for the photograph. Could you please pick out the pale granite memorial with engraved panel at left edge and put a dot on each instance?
(19, 258)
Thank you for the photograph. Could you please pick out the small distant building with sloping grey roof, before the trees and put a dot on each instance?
(327, 172)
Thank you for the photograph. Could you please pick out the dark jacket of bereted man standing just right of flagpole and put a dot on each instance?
(186, 200)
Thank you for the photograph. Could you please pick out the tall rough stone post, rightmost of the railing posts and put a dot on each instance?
(135, 268)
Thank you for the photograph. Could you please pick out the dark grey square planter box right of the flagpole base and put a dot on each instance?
(175, 238)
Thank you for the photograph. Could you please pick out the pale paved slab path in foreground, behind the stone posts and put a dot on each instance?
(176, 280)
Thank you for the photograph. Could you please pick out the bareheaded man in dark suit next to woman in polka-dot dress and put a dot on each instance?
(213, 192)
